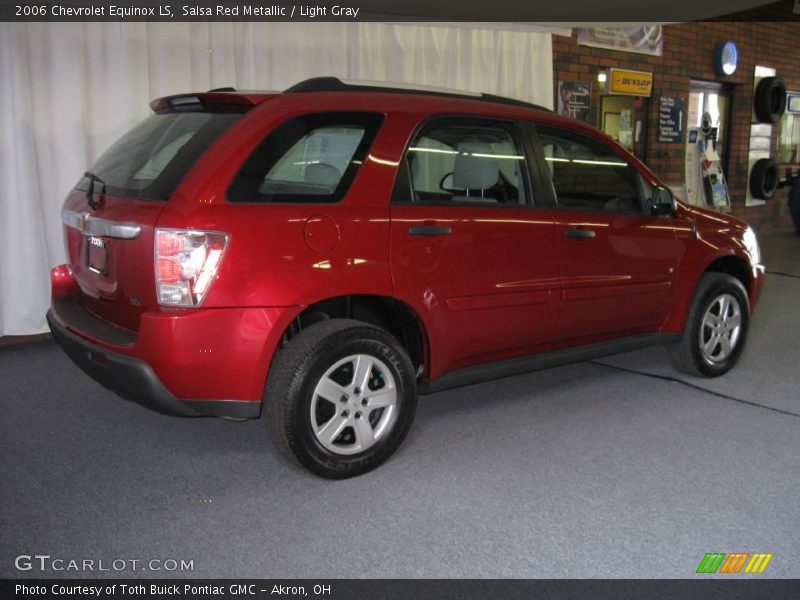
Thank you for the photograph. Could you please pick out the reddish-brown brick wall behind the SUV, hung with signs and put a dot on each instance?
(688, 54)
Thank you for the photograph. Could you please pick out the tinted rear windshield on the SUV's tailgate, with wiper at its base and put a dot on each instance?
(149, 161)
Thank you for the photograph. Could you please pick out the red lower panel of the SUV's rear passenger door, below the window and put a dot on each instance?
(487, 291)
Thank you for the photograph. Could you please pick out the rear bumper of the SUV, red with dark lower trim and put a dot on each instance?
(209, 362)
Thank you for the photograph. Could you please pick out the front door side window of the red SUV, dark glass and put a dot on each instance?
(588, 175)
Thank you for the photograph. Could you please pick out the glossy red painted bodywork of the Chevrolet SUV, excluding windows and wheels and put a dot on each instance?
(507, 282)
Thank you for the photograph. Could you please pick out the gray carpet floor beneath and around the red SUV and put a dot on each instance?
(579, 471)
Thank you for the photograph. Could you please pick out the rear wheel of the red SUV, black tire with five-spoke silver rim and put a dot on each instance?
(318, 413)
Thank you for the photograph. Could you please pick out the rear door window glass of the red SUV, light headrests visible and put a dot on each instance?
(467, 161)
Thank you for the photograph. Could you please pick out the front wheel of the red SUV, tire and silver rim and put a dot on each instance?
(697, 354)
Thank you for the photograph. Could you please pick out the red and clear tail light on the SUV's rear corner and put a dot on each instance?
(187, 262)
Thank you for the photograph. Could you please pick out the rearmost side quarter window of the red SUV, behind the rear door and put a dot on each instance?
(312, 158)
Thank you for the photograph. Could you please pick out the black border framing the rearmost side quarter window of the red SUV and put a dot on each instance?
(347, 180)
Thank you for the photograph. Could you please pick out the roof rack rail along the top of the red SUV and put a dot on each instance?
(334, 84)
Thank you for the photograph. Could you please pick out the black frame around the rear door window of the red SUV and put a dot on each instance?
(402, 192)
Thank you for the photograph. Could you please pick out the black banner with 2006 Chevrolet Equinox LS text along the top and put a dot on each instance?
(567, 12)
